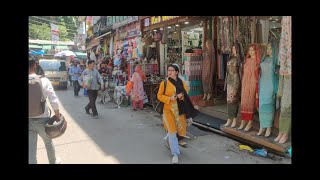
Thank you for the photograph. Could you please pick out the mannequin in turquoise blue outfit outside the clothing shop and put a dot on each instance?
(268, 86)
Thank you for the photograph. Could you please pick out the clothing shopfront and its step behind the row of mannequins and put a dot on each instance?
(243, 31)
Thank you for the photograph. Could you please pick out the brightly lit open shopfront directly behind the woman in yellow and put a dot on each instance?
(176, 39)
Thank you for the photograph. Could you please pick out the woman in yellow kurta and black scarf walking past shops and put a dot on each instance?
(176, 107)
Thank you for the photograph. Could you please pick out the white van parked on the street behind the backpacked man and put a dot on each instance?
(55, 70)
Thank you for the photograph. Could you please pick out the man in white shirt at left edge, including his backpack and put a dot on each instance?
(39, 89)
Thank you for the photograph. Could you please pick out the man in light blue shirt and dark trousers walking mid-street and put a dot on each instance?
(90, 79)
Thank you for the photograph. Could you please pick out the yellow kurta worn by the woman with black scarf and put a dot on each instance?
(172, 121)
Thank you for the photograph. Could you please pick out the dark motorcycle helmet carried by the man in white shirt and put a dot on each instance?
(56, 126)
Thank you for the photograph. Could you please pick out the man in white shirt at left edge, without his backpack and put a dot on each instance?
(37, 123)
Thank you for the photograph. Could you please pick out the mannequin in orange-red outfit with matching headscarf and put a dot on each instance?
(249, 89)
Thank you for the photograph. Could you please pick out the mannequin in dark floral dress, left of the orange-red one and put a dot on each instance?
(233, 87)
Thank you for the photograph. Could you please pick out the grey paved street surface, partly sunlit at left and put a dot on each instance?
(122, 136)
